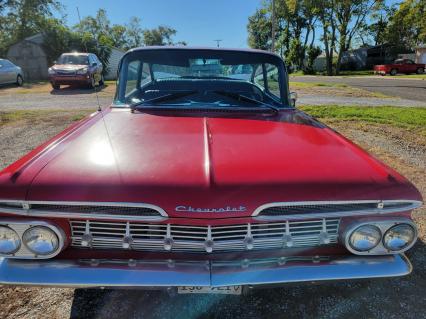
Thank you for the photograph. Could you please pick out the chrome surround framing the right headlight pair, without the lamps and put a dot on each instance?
(384, 226)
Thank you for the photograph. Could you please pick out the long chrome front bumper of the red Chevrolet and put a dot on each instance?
(115, 273)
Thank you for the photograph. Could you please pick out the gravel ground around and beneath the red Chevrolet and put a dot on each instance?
(390, 298)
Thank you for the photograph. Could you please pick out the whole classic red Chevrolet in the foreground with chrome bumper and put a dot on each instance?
(197, 180)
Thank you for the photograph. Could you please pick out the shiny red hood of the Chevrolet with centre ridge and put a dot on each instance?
(209, 162)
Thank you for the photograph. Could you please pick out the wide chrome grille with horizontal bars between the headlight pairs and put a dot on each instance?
(165, 237)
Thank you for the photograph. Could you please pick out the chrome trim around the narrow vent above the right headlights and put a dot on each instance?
(411, 204)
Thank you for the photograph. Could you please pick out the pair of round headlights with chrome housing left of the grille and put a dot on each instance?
(30, 240)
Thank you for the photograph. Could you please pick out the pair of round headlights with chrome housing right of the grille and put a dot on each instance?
(381, 237)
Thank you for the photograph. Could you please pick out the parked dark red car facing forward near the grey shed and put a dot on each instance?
(76, 69)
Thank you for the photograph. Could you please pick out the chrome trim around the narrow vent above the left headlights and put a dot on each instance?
(40, 213)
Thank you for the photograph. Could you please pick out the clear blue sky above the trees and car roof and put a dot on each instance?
(198, 22)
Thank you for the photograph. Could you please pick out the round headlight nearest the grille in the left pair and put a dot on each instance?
(41, 240)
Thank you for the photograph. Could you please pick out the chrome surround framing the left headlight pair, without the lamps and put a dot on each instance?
(21, 226)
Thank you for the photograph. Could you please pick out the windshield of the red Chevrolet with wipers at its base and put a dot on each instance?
(201, 78)
